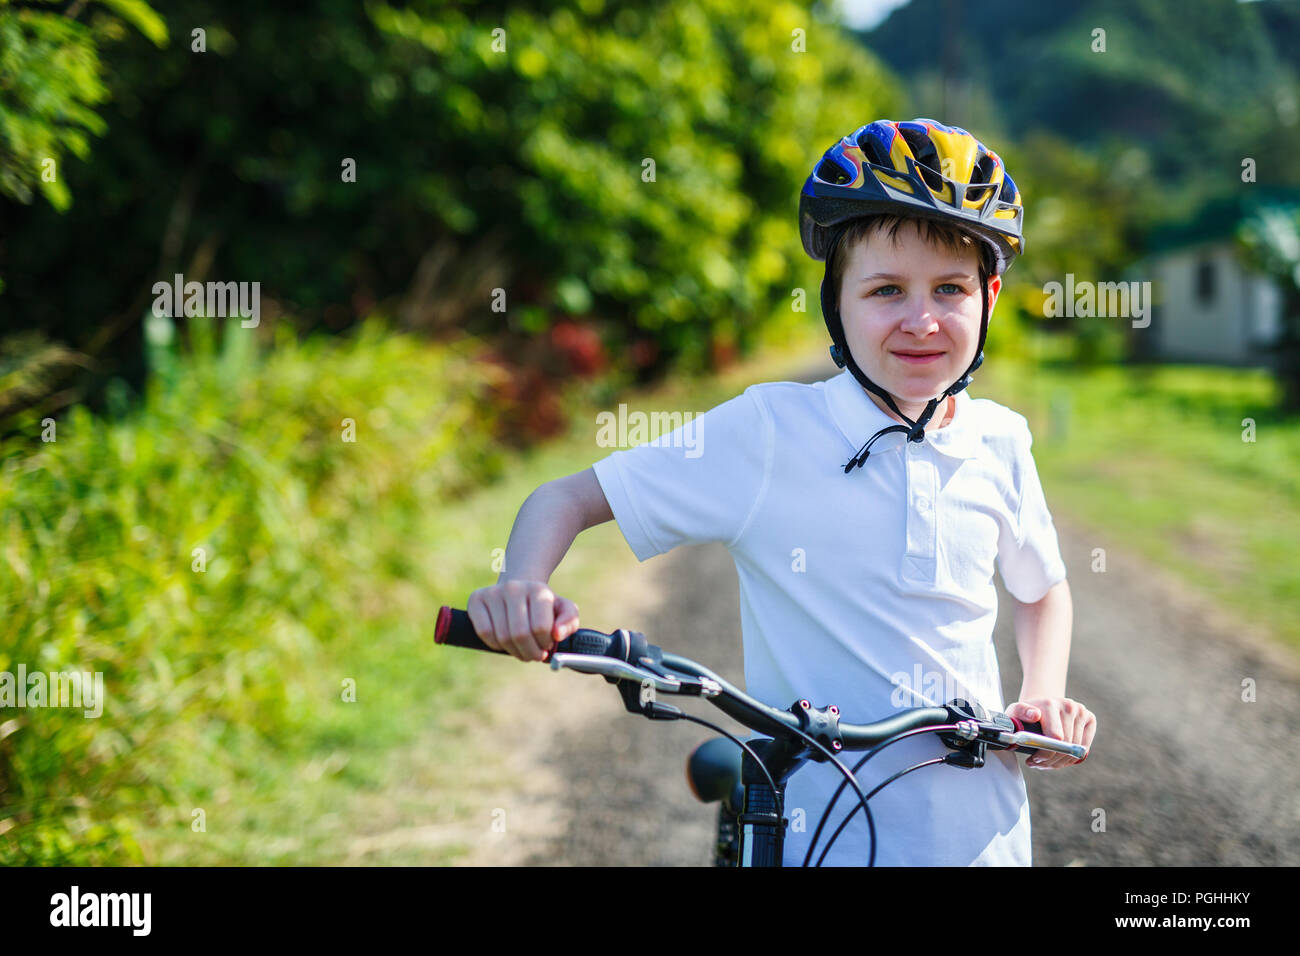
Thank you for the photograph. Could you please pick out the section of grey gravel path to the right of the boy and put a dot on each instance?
(1186, 772)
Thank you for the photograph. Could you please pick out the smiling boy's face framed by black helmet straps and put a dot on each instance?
(912, 313)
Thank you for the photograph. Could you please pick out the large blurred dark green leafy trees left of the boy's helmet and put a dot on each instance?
(517, 165)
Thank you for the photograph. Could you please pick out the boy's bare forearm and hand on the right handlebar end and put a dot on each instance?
(1043, 633)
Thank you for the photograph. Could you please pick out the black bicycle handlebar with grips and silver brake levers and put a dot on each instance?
(634, 659)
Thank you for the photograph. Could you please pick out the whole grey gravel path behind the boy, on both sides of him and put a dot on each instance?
(1185, 772)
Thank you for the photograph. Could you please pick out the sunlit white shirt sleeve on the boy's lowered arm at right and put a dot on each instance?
(1029, 556)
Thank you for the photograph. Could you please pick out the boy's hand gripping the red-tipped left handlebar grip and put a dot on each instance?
(522, 618)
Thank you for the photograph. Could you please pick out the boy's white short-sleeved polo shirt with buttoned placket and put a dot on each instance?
(873, 590)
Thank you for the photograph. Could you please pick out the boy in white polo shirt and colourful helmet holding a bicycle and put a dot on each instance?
(865, 583)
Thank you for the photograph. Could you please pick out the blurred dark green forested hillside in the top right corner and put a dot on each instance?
(1193, 85)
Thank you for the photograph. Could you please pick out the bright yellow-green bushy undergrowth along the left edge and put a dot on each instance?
(245, 457)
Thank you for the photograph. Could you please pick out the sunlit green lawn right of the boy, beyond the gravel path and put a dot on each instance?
(1155, 461)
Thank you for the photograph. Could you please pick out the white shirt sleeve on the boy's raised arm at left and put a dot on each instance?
(695, 485)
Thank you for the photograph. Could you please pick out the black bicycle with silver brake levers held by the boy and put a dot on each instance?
(749, 782)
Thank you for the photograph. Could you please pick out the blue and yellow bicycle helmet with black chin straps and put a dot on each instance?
(921, 170)
